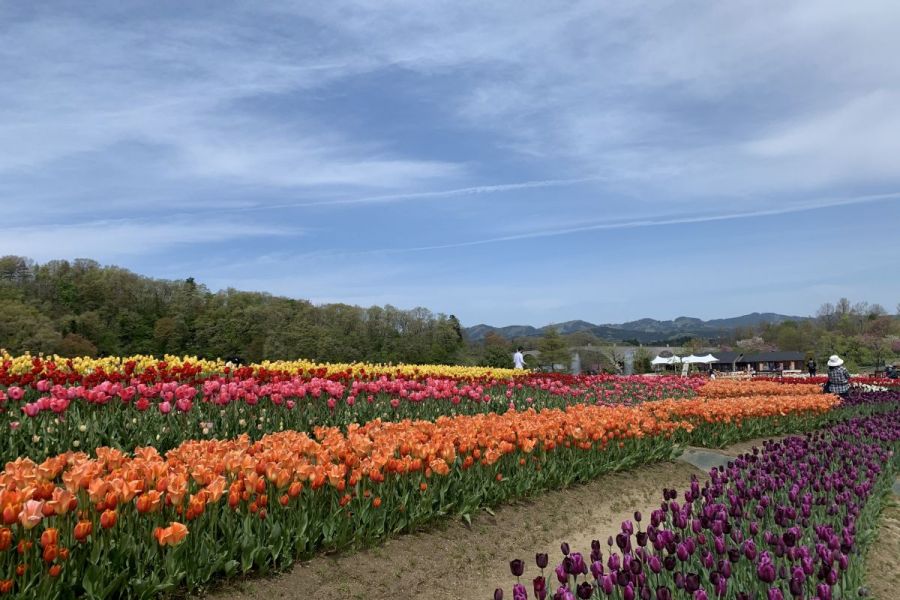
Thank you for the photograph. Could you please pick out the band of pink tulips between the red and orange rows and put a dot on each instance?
(44, 419)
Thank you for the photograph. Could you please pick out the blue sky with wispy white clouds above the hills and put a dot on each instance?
(508, 162)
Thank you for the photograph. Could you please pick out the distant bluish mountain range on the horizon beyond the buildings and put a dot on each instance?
(642, 330)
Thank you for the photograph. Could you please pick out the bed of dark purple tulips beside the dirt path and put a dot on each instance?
(791, 520)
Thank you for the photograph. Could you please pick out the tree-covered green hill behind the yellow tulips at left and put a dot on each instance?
(82, 308)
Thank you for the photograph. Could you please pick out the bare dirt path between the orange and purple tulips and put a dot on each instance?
(454, 562)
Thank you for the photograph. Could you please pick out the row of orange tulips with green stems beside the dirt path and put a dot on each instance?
(121, 525)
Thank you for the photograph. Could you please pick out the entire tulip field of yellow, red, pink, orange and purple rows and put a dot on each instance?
(137, 477)
